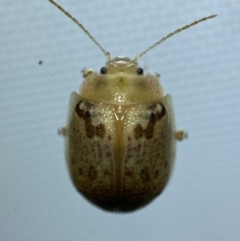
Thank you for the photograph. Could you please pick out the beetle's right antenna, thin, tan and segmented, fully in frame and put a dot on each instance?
(171, 34)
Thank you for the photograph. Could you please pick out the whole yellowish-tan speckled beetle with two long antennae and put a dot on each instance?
(120, 137)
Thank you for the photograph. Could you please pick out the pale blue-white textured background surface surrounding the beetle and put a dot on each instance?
(199, 67)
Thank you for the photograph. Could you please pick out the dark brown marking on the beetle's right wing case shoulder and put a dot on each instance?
(158, 111)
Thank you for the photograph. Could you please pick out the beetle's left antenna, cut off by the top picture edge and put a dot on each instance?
(107, 54)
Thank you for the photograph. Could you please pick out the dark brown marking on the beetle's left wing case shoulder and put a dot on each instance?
(85, 110)
